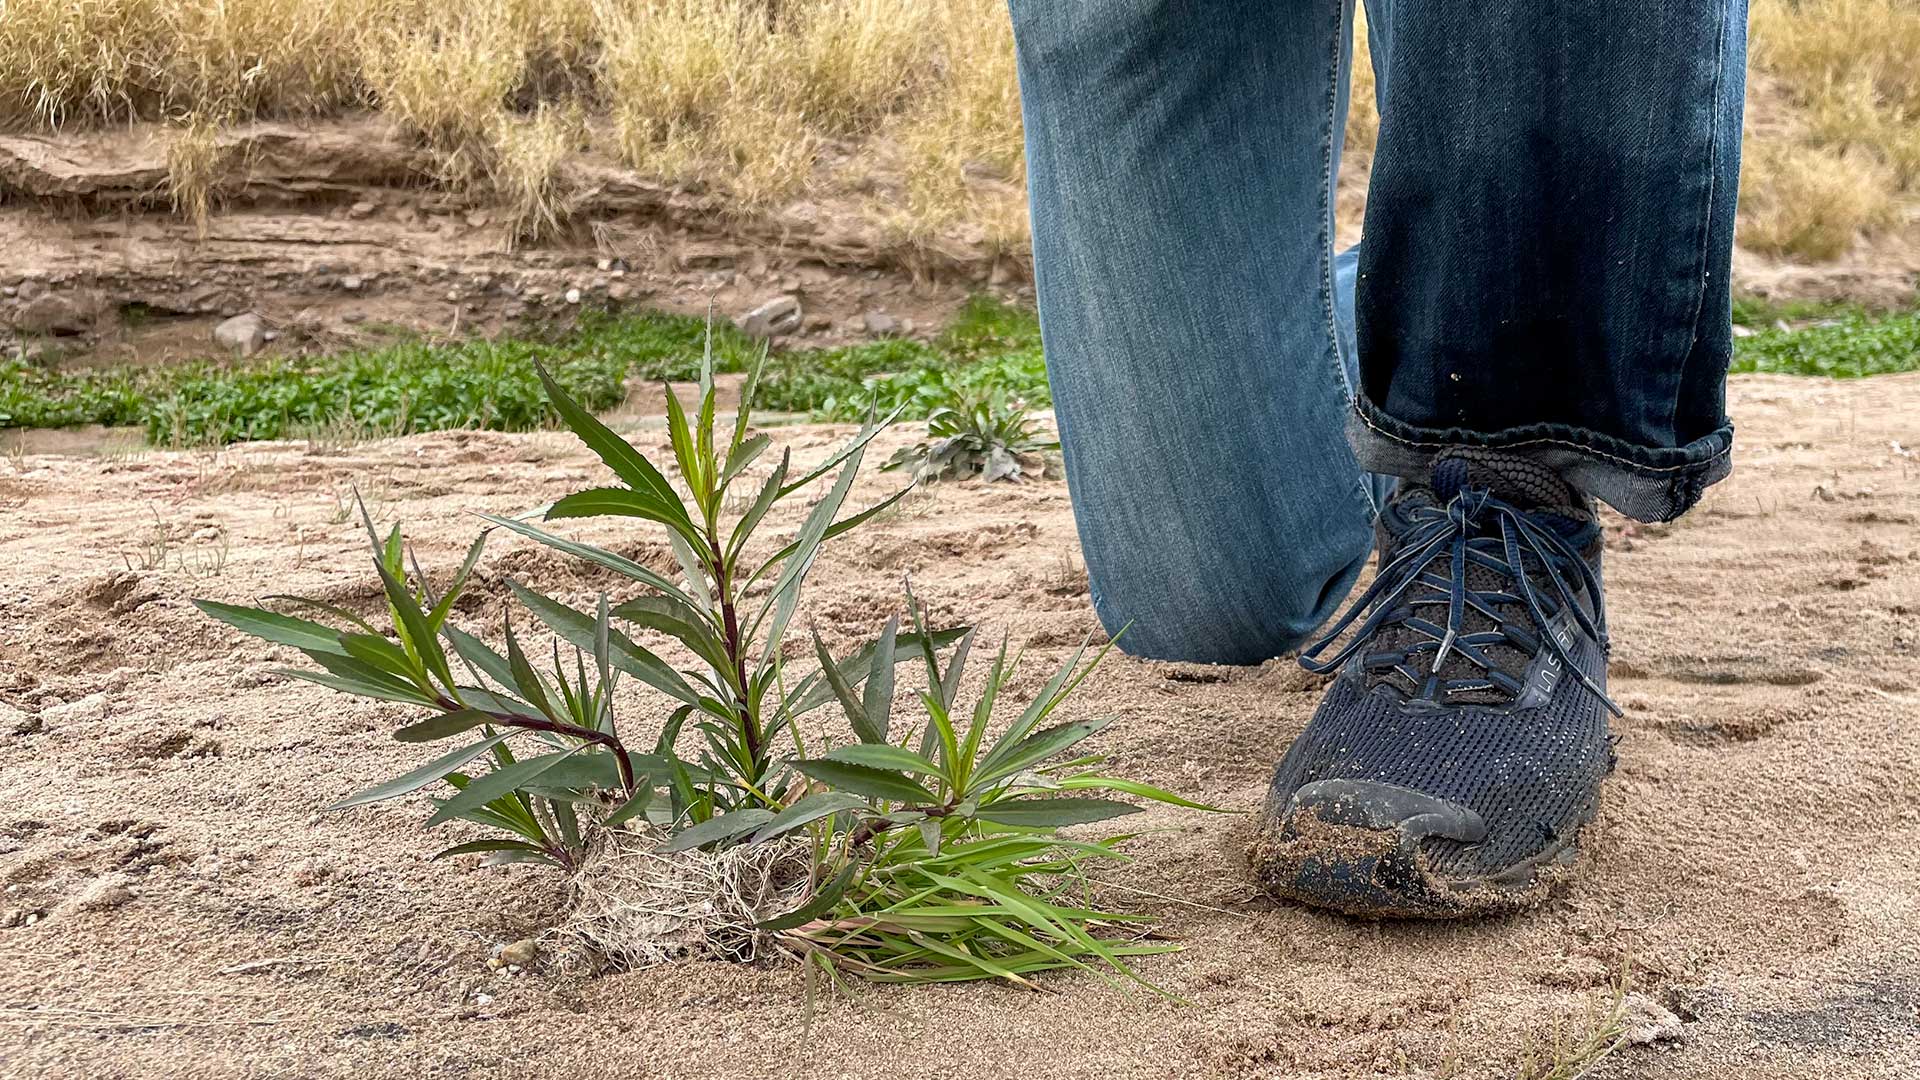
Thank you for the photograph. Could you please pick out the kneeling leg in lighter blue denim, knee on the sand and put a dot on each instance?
(1180, 159)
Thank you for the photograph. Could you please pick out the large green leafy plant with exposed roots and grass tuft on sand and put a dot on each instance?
(903, 850)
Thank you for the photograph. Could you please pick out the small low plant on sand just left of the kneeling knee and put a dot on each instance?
(988, 435)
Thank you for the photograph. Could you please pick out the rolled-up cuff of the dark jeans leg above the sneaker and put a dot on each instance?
(1643, 483)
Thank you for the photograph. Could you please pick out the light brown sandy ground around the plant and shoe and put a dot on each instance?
(1754, 866)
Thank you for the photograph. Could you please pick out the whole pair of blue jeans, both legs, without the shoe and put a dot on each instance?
(1545, 270)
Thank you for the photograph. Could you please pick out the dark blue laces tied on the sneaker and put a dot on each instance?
(1483, 531)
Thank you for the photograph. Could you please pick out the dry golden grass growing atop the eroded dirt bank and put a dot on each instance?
(757, 97)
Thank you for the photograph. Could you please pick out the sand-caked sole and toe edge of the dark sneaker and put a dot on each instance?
(1380, 873)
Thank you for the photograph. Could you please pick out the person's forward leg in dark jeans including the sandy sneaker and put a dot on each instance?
(1543, 318)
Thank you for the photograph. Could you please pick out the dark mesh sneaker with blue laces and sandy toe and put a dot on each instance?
(1464, 743)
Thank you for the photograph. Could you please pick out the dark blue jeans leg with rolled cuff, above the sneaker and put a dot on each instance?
(1548, 235)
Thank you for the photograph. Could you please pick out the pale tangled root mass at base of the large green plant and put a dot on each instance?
(636, 908)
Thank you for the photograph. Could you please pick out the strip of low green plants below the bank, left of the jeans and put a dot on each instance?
(416, 385)
